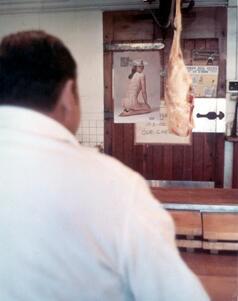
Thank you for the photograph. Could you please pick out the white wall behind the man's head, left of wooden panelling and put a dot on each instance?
(82, 32)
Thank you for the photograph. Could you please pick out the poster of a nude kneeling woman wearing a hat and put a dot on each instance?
(136, 86)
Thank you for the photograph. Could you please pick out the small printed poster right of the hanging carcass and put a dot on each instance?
(205, 80)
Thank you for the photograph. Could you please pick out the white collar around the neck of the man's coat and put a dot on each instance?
(27, 120)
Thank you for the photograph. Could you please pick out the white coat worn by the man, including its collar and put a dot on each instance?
(78, 225)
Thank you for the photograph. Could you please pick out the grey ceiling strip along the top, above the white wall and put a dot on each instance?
(18, 6)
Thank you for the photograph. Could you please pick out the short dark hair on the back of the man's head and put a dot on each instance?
(34, 66)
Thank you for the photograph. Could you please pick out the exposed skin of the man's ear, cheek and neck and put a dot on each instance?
(67, 108)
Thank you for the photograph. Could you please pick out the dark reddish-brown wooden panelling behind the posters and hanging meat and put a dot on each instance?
(203, 160)
